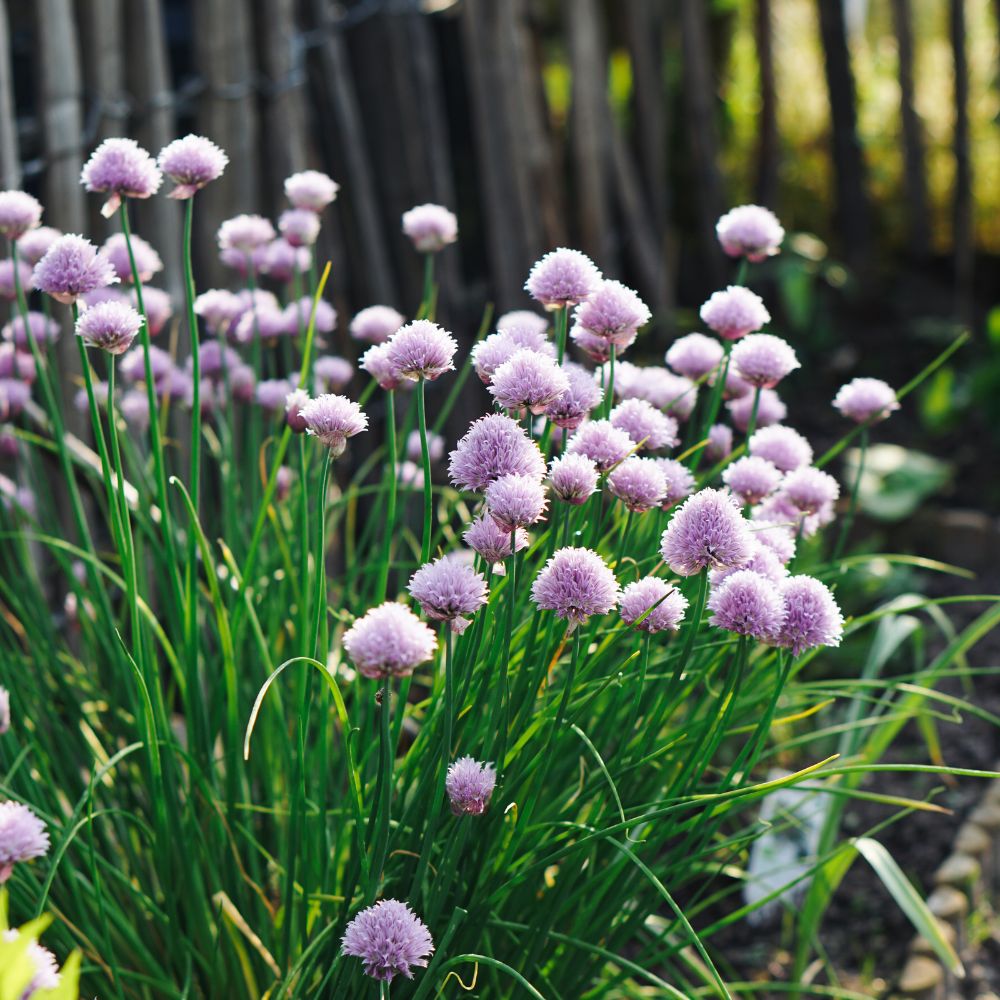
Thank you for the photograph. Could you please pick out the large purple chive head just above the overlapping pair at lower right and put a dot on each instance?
(706, 531)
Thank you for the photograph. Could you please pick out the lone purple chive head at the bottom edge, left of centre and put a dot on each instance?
(390, 938)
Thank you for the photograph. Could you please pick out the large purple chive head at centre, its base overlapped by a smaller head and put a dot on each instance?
(494, 446)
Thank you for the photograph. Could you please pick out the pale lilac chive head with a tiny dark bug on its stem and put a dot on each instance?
(389, 641)
